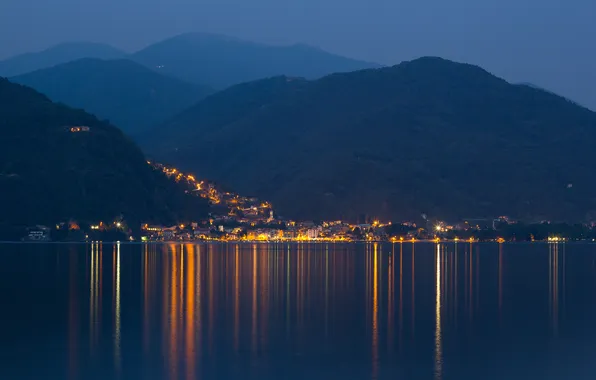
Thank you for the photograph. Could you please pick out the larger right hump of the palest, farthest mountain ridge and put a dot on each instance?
(221, 61)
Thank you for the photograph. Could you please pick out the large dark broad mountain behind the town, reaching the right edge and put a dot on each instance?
(426, 136)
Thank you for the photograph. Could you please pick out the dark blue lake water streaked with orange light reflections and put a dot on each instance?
(266, 311)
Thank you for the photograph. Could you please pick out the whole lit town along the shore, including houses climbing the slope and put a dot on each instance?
(240, 218)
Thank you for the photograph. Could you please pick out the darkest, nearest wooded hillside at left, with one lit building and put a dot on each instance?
(50, 173)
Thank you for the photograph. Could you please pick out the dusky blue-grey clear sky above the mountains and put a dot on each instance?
(546, 42)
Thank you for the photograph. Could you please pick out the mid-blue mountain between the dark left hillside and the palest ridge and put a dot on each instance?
(127, 93)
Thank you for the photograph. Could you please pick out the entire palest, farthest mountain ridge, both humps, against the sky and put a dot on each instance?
(201, 58)
